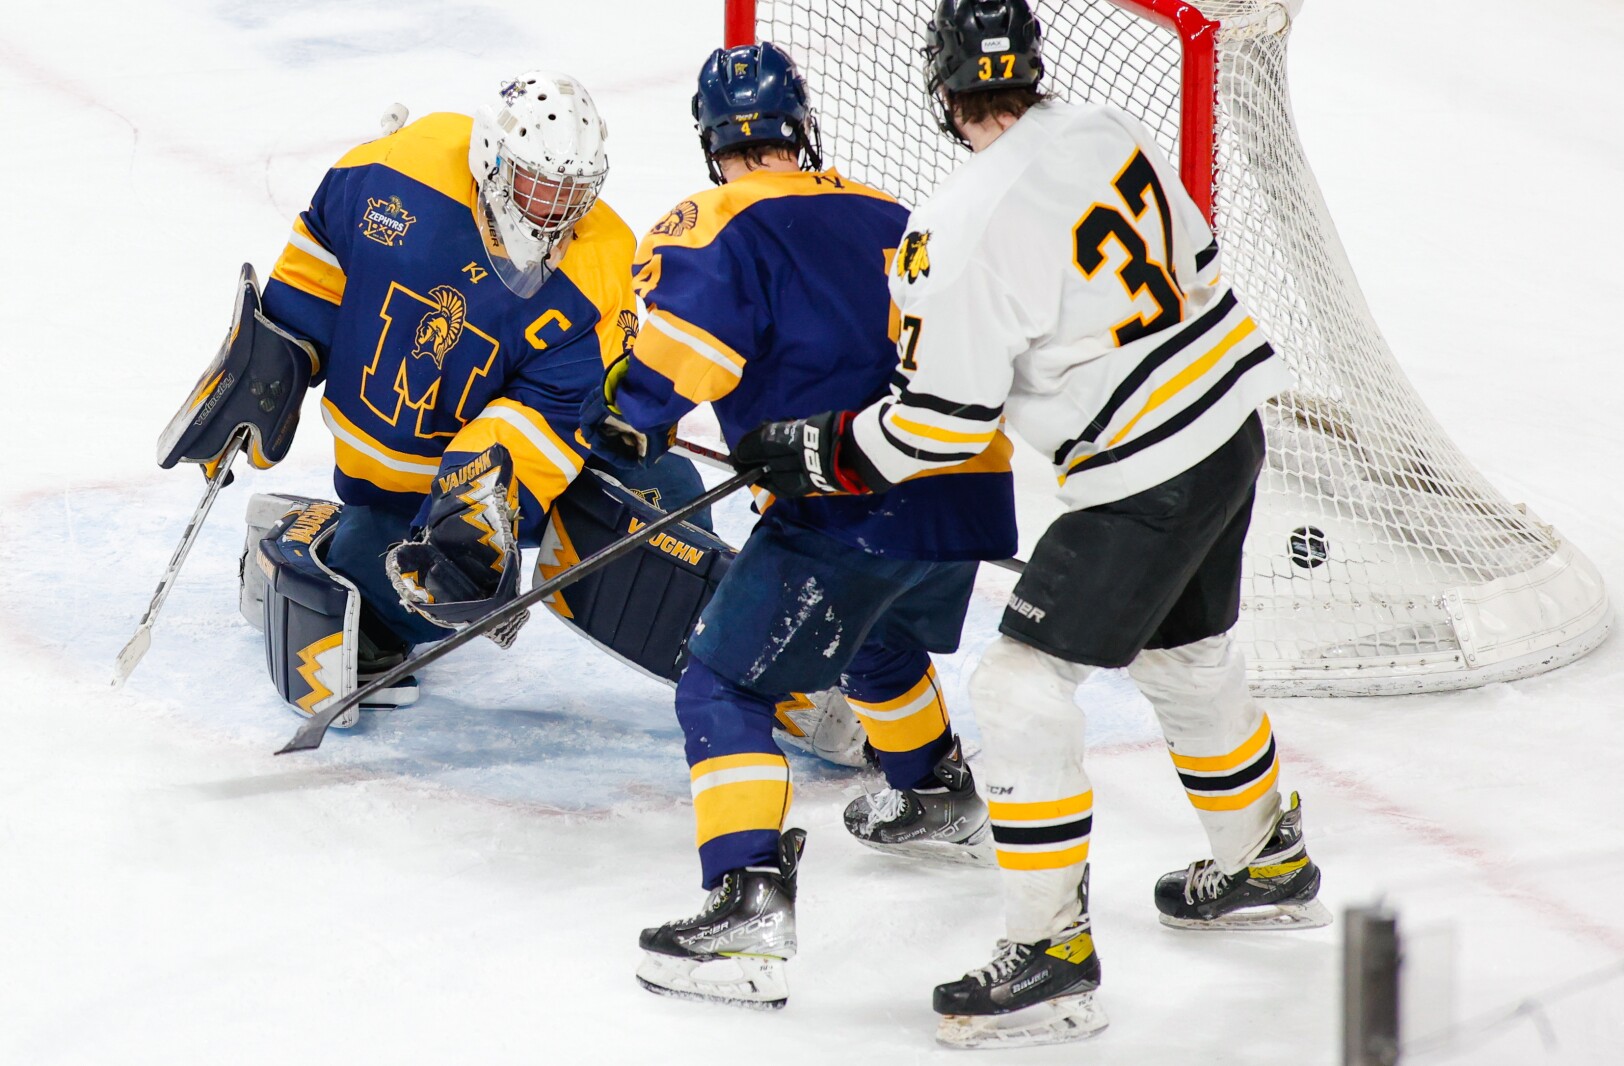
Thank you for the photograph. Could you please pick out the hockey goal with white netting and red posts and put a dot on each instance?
(1380, 558)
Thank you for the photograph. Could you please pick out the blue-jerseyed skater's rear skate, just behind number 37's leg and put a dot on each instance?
(946, 825)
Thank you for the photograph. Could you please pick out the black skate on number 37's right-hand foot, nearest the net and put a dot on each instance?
(1276, 891)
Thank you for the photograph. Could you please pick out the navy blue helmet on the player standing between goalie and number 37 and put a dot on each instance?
(754, 95)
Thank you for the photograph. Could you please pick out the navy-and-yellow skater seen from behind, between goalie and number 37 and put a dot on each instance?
(767, 298)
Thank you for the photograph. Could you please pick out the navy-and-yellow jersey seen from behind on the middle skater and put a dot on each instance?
(767, 298)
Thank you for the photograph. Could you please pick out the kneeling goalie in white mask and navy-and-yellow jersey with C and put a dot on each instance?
(456, 288)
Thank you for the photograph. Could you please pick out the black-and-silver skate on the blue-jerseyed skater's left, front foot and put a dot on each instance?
(735, 950)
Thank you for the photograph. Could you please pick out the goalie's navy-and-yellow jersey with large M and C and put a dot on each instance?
(426, 358)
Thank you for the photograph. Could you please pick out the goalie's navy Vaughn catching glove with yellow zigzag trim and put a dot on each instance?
(464, 563)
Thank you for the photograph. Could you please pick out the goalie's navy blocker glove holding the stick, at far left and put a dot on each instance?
(256, 383)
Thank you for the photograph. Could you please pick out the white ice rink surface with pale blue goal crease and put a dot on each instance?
(465, 882)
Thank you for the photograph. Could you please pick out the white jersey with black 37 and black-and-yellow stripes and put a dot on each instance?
(1066, 280)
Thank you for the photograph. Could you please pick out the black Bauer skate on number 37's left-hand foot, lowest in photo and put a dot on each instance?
(1029, 995)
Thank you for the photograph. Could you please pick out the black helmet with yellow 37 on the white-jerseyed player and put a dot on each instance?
(977, 46)
